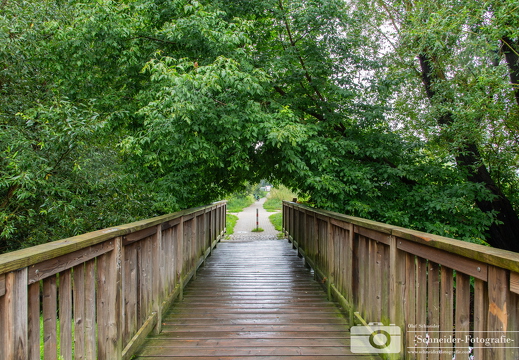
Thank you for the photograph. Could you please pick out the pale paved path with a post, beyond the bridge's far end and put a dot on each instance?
(247, 222)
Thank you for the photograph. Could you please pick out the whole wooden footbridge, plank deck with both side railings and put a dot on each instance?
(102, 295)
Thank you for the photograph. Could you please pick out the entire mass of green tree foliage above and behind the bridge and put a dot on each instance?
(401, 111)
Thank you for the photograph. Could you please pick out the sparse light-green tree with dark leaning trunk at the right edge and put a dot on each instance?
(457, 60)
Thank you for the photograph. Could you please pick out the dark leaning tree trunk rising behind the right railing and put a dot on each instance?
(503, 233)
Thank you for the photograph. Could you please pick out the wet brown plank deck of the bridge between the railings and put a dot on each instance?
(252, 299)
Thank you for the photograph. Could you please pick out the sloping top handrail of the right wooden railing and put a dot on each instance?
(502, 258)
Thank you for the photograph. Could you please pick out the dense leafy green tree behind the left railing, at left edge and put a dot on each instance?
(66, 98)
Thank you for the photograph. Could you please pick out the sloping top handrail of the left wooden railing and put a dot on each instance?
(32, 255)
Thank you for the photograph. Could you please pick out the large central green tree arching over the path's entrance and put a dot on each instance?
(315, 119)
